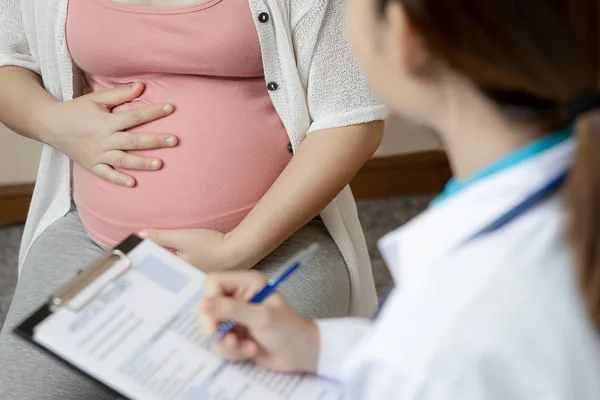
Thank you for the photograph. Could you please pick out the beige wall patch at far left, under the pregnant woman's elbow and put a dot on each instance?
(19, 158)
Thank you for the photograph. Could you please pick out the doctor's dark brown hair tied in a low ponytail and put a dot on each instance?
(535, 59)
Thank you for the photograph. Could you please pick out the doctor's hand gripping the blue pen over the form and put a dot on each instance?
(271, 334)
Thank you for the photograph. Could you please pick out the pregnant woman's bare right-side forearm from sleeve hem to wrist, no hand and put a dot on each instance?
(323, 165)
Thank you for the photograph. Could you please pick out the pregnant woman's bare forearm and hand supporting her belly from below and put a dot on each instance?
(323, 165)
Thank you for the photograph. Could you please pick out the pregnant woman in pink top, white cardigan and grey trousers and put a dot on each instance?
(225, 130)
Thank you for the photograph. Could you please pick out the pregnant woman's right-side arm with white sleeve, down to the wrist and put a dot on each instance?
(339, 141)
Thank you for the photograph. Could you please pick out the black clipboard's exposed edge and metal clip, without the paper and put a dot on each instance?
(68, 291)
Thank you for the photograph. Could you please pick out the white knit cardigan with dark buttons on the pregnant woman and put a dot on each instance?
(304, 51)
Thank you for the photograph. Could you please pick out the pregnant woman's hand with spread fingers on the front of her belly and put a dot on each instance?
(92, 136)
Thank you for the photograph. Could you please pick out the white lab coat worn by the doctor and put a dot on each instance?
(499, 318)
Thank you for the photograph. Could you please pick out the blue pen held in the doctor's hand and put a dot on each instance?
(286, 270)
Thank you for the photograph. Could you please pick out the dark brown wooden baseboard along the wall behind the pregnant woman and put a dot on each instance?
(407, 174)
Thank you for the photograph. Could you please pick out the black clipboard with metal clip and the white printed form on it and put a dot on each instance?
(82, 325)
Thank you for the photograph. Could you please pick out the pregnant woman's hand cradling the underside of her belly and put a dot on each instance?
(205, 249)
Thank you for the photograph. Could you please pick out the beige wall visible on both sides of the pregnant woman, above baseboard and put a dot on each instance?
(19, 157)
